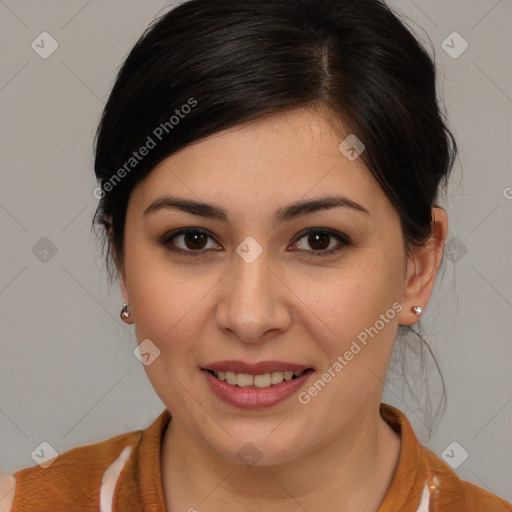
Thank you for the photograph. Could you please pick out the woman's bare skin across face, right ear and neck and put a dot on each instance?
(336, 452)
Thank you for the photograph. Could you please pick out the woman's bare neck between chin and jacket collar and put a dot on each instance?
(353, 470)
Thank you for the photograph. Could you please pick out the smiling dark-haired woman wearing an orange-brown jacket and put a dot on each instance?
(238, 136)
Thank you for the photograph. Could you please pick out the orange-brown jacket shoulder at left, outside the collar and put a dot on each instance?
(75, 476)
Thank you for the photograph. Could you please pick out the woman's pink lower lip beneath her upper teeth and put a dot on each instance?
(252, 398)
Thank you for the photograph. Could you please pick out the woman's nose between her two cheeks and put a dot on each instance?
(254, 303)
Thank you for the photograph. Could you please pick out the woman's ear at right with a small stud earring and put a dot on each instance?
(422, 268)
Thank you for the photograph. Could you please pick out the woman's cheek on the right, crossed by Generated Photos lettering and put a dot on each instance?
(357, 311)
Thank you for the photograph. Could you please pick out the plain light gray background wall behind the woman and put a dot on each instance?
(68, 373)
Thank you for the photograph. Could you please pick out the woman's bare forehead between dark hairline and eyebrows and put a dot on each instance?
(263, 164)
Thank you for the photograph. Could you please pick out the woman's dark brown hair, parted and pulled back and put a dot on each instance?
(235, 61)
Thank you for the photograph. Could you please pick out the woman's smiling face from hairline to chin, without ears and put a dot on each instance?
(317, 291)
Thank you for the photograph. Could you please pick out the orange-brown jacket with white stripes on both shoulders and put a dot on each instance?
(123, 474)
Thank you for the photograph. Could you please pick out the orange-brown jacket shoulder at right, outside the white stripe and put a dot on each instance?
(452, 493)
